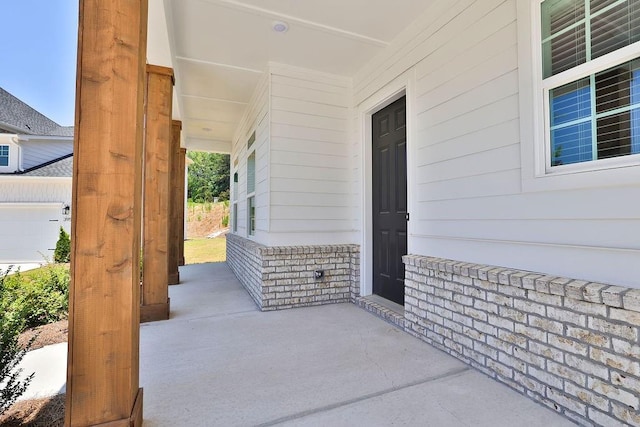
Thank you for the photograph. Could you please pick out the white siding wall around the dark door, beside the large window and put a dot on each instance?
(459, 65)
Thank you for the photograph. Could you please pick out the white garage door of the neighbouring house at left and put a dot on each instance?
(29, 232)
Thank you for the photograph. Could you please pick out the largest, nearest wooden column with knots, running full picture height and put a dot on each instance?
(104, 295)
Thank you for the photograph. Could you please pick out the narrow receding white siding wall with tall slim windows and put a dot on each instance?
(256, 120)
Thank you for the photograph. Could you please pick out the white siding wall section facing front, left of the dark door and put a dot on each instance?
(310, 186)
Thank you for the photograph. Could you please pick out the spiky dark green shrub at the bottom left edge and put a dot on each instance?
(10, 353)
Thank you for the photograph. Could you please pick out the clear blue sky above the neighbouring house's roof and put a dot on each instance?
(38, 54)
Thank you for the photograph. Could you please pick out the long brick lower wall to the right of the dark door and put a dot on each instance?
(568, 344)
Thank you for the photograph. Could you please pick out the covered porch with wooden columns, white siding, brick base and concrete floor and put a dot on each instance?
(497, 256)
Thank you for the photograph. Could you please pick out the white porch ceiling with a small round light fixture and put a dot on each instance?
(219, 49)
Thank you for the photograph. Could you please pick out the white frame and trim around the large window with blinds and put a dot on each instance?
(537, 174)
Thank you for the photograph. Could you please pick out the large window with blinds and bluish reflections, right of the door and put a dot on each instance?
(591, 79)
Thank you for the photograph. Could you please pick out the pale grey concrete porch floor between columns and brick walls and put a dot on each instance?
(220, 362)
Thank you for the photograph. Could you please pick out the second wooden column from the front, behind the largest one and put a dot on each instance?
(157, 149)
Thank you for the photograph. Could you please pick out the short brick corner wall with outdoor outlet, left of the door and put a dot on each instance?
(283, 276)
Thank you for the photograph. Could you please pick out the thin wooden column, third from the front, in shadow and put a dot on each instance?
(176, 204)
